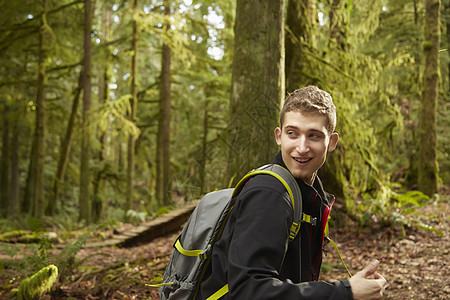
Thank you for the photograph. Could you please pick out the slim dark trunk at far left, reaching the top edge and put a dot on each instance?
(38, 171)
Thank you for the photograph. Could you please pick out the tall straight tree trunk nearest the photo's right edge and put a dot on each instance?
(428, 165)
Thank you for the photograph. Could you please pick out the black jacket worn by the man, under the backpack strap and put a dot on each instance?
(253, 255)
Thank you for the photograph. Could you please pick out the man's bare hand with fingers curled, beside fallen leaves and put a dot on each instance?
(368, 284)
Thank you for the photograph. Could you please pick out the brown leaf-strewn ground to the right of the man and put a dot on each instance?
(416, 266)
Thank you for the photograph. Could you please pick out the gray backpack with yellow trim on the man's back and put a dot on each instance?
(193, 247)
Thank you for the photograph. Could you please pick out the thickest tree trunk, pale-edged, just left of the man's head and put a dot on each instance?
(257, 87)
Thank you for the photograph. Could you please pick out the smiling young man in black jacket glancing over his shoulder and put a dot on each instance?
(253, 255)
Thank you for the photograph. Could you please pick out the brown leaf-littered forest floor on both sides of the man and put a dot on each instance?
(415, 263)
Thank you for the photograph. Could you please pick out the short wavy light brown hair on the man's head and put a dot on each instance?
(311, 99)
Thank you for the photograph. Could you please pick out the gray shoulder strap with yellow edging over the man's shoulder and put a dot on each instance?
(286, 178)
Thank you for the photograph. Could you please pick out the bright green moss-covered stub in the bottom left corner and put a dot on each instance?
(34, 287)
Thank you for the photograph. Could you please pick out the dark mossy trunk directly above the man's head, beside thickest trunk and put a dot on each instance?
(299, 36)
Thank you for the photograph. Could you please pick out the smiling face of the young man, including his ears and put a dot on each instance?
(304, 142)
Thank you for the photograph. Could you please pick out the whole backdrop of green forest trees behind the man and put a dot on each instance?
(113, 109)
